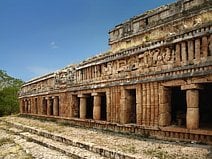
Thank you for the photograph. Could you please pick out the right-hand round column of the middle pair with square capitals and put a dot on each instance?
(97, 106)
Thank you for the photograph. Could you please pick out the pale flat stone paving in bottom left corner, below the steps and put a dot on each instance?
(19, 147)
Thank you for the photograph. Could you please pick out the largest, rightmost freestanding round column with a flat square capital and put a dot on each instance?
(192, 100)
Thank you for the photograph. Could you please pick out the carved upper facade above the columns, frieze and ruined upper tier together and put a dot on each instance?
(176, 45)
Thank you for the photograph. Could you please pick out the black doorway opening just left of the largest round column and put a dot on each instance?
(178, 107)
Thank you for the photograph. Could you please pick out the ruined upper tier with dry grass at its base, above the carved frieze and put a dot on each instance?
(154, 25)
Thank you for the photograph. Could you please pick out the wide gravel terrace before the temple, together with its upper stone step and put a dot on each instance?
(107, 144)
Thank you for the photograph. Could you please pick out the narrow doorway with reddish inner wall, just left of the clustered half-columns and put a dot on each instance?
(131, 106)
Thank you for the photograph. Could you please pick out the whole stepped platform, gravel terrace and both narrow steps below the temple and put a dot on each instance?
(76, 142)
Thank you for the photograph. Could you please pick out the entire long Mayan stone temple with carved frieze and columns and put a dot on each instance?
(155, 80)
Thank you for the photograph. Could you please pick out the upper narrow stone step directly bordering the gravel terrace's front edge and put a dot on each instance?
(61, 139)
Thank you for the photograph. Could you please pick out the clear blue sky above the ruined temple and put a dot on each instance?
(40, 36)
